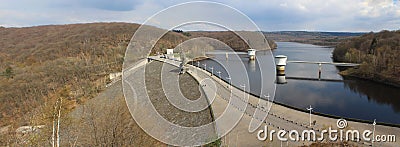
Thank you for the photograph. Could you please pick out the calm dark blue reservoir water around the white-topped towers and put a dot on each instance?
(352, 98)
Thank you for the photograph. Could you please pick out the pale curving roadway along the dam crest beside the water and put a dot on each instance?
(278, 118)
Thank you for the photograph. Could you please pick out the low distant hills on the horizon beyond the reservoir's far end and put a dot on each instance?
(316, 38)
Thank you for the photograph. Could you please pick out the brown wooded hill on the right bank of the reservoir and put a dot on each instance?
(378, 54)
